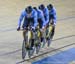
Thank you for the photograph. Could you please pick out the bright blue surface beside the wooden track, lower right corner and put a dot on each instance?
(64, 57)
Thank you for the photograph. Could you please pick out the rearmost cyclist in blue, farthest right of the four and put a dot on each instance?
(52, 17)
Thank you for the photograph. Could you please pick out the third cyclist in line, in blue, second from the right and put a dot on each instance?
(46, 16)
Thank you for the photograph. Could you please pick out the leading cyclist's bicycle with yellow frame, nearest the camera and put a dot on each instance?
(27, 43)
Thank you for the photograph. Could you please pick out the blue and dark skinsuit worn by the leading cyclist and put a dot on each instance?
(28, 18)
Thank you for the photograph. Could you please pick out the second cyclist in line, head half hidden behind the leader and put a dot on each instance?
(41, 21)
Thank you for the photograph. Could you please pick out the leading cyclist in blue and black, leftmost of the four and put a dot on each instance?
(30, 16)
